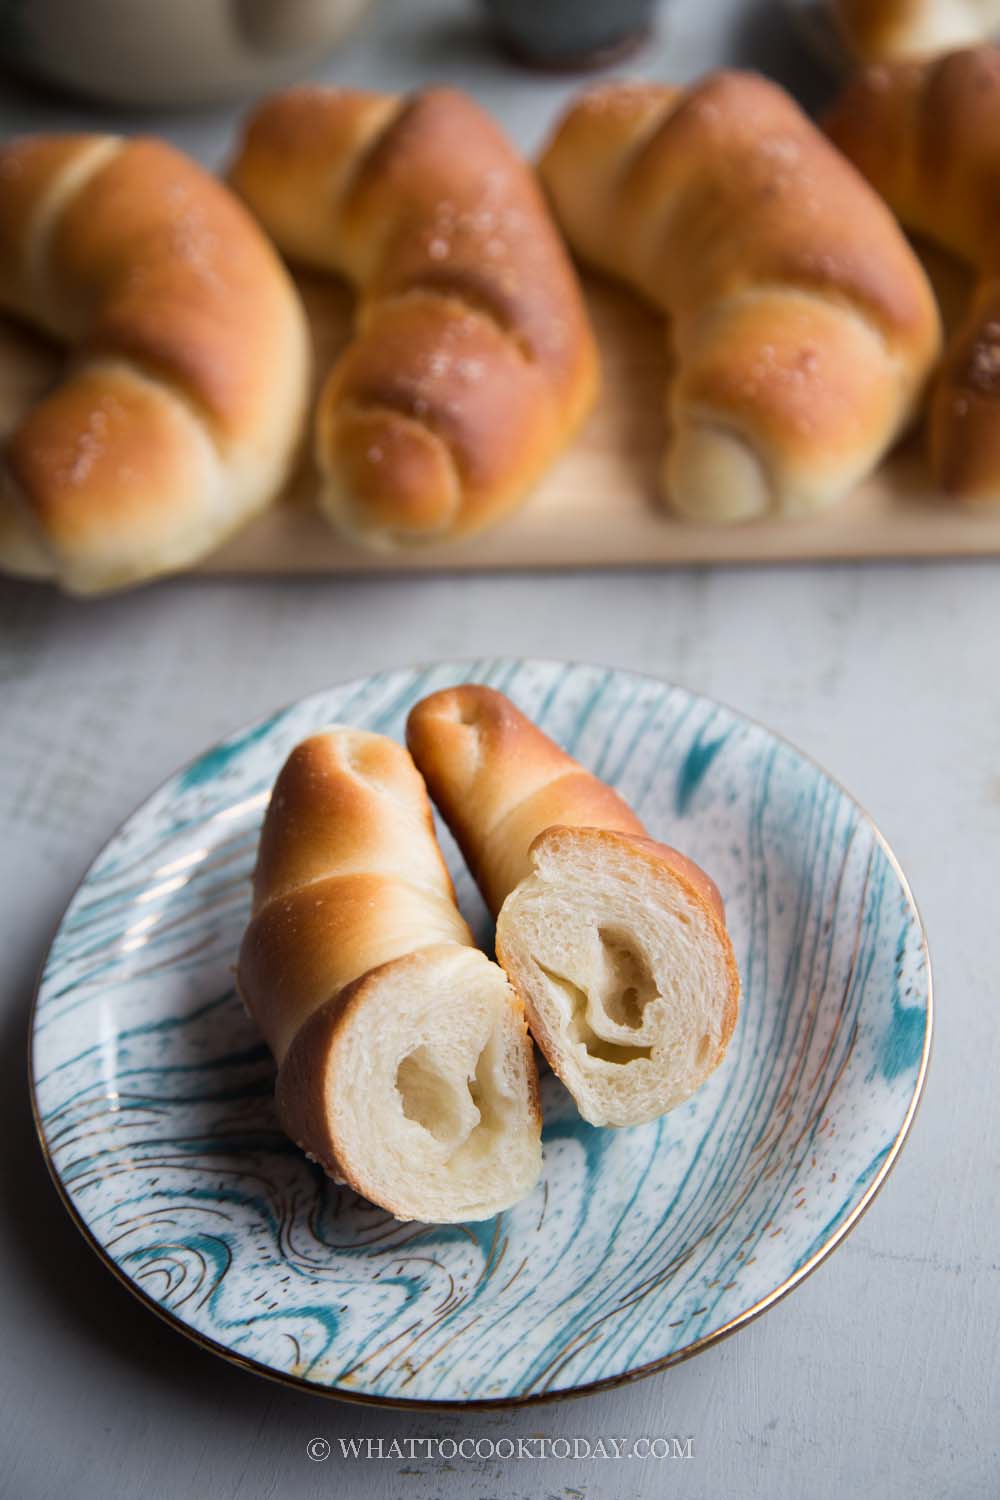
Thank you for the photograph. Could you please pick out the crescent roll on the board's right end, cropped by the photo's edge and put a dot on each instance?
(927, 136)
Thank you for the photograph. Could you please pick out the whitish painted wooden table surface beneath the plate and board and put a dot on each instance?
(879, 1376)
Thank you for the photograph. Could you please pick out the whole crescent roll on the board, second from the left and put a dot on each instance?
(473, 362)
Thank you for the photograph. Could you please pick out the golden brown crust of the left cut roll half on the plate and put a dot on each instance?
(349, 878)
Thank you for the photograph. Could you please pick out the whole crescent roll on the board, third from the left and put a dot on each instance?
(803, 325)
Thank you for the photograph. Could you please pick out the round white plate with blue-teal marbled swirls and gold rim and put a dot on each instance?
(639, 1247)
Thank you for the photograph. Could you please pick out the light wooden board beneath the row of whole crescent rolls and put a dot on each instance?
(599, 505)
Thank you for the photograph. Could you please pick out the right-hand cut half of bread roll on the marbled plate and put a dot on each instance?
(617, 944)
